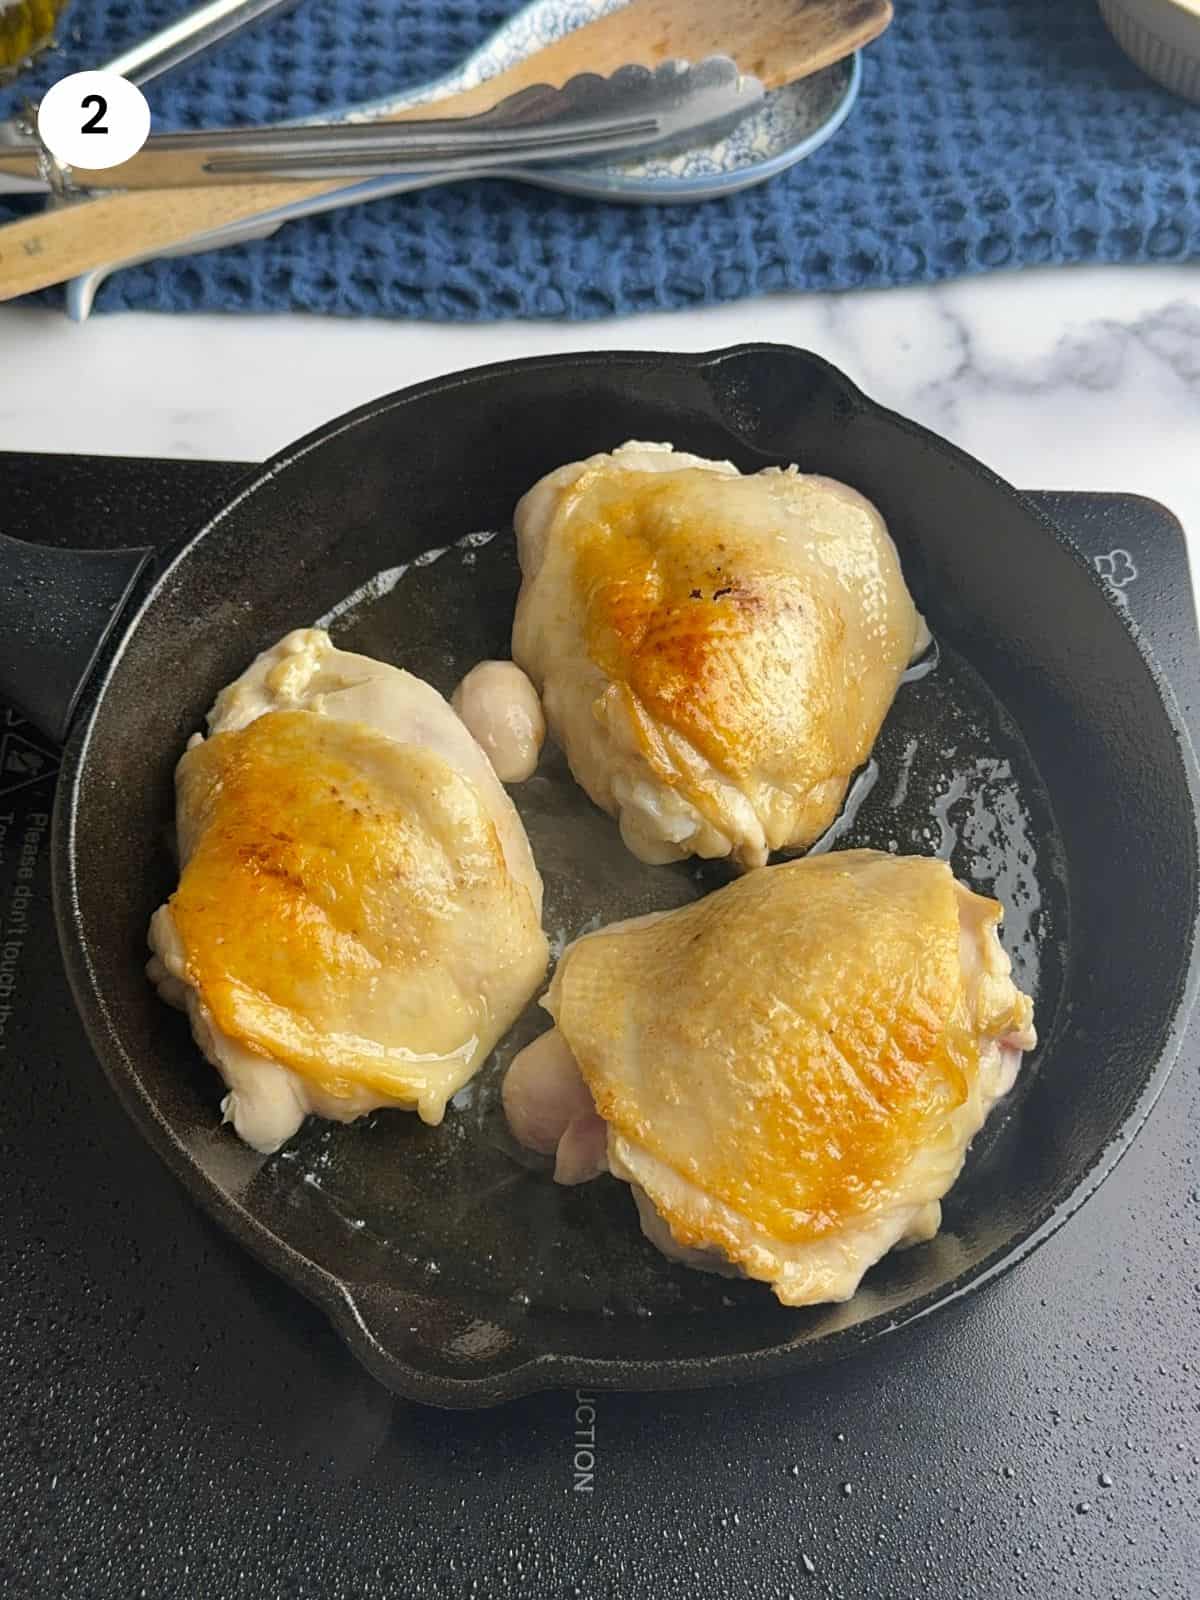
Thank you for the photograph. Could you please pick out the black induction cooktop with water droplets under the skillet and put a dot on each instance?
(174, 1422)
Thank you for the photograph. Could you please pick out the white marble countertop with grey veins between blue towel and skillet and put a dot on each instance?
(1086, 380)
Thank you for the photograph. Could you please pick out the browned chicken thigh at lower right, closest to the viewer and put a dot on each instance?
(839, 1030)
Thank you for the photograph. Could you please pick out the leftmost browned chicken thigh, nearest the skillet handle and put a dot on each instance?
(359, 914)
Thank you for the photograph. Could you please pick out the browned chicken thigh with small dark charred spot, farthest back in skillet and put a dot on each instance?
(714, 652)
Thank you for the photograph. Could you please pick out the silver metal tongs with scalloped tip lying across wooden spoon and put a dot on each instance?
(633, 110)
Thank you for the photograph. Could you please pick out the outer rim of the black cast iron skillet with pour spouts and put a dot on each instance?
(537, 1370)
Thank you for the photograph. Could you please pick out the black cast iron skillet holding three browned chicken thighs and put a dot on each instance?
(1044, 758)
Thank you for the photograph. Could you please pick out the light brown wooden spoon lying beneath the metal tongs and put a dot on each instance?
(777, 41)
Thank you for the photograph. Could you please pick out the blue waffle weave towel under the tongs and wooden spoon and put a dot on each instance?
(990, 134)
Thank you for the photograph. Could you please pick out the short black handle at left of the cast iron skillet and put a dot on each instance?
(57, 612)
